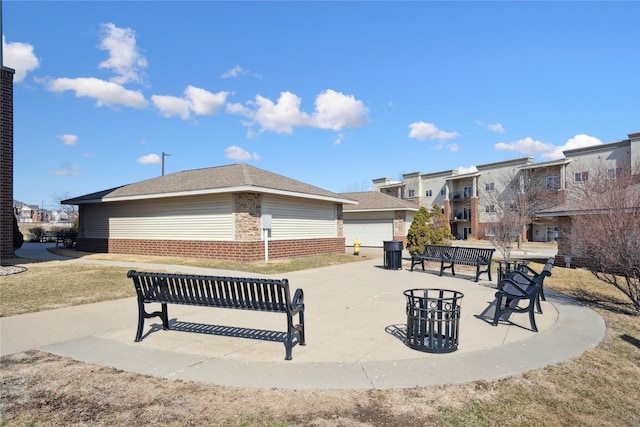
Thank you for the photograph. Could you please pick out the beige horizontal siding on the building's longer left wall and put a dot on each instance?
(181, 218)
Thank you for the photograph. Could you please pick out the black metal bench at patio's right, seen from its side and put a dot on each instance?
(519, 287)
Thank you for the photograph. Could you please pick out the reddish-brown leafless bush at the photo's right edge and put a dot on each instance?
(606, 226)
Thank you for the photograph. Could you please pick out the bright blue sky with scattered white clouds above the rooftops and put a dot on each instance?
(333, 94)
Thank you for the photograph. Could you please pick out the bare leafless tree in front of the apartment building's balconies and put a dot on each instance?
(513, 204)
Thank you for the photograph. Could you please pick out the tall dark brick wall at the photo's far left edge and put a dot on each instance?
(6, 163)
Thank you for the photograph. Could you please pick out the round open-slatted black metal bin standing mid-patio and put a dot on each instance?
(433, 319)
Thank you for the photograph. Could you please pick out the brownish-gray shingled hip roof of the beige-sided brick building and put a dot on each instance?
(221, 179)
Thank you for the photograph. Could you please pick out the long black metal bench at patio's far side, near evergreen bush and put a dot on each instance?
(448, 256)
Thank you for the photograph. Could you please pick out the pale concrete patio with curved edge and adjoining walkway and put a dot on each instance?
(355, 325)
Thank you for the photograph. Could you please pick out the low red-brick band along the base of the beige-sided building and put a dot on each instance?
(234, 251)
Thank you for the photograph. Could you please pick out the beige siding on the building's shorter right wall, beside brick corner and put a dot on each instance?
(300, 218)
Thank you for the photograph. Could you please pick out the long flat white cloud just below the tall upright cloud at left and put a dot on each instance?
(105, 93)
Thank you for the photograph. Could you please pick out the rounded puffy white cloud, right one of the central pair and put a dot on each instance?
(335, 111)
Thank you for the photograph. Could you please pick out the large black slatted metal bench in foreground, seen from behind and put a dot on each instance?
(214, 291)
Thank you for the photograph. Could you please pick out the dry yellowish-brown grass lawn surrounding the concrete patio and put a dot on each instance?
(598, 388)
